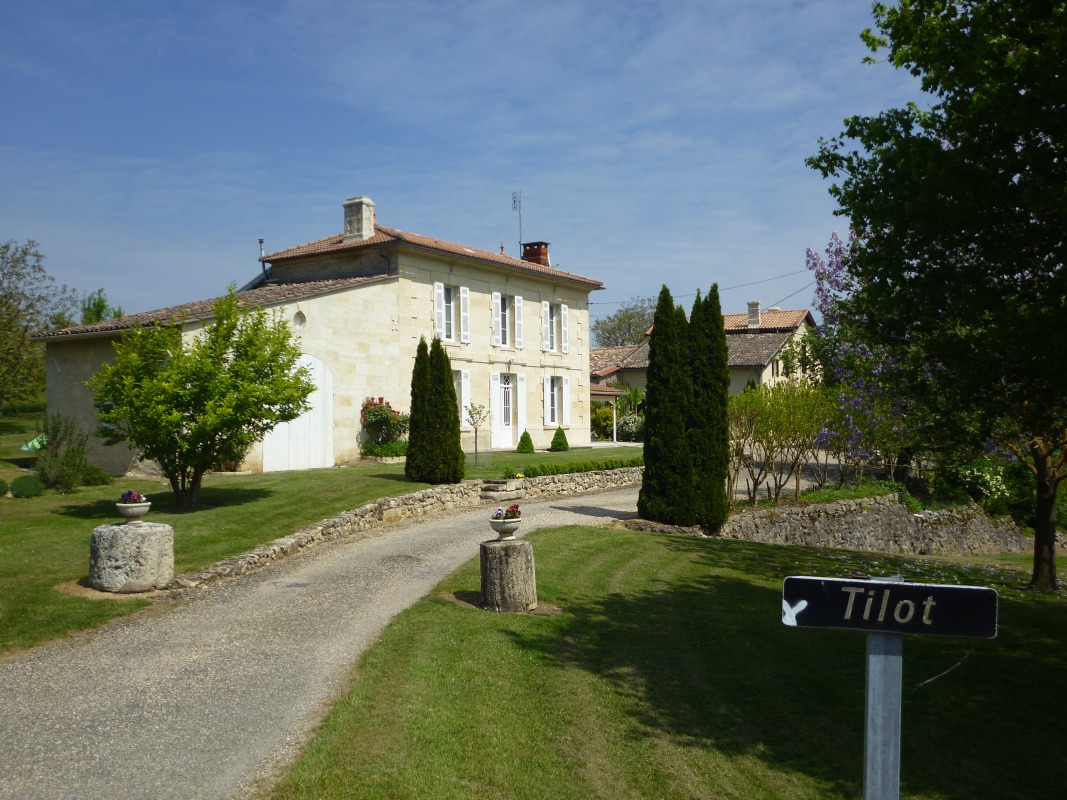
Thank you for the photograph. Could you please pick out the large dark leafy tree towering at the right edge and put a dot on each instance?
(961, 216)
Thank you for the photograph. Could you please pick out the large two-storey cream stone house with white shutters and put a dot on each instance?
(516, 330)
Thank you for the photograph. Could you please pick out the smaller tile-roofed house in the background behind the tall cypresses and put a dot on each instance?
(755, 342)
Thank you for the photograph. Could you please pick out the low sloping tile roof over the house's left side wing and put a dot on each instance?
(265, 296)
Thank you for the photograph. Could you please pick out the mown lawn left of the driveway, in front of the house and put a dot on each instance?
(44, 541)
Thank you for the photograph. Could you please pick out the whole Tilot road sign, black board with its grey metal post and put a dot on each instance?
(887, 609)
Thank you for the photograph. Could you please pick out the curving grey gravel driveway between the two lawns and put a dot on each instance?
(202, 698)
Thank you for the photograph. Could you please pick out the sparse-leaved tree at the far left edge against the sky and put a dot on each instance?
(31, 302)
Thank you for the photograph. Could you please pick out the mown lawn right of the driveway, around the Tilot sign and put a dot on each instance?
(668, 675)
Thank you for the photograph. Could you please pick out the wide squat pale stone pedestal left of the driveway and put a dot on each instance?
(132, 558)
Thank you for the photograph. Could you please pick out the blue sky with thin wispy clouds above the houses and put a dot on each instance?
(149, 146)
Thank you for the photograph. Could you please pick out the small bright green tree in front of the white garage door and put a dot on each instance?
(189, 405)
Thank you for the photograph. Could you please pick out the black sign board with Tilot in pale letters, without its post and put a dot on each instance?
(885, 607)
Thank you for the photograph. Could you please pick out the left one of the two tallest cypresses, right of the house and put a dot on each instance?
(667, 488)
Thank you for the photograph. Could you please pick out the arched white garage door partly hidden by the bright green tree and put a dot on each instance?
(307, 442)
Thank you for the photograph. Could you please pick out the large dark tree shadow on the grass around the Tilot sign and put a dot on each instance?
(708, 662)
